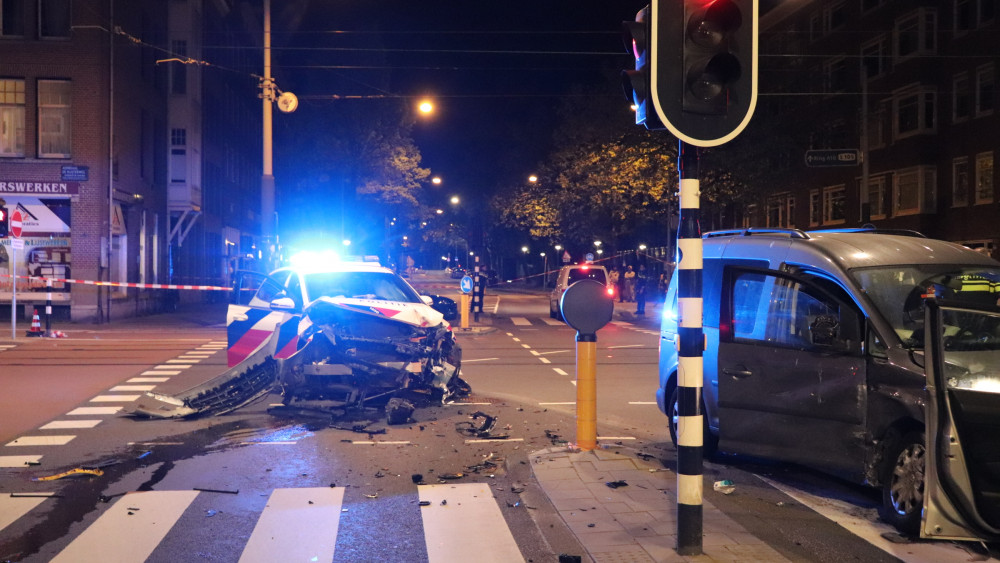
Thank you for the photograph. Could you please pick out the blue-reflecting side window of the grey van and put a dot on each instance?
(778, 311)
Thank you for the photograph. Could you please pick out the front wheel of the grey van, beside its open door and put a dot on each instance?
(903, 484)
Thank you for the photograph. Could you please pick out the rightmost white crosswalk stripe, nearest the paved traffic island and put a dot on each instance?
(470, 527)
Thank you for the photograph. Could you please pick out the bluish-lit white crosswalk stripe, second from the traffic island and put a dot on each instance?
(296, 525)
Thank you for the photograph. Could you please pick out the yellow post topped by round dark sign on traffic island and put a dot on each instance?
(587, 307)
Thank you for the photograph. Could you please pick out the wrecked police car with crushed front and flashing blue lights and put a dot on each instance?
(337, 333)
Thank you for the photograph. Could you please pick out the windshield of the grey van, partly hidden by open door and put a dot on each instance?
(897, 292)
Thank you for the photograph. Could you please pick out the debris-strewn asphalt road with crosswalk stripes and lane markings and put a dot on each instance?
(215, 478)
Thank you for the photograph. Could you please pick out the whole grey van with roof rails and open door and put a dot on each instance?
(817, 353)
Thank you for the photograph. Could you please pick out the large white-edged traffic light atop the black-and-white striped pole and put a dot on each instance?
(704, 71)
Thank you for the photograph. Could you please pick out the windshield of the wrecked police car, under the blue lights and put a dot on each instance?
(359, 285)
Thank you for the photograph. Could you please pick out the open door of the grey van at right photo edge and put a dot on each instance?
(962, 475)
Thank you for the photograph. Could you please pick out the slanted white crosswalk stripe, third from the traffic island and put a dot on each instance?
(130, 529)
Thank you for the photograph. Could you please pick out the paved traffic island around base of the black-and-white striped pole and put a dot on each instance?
(637, 522)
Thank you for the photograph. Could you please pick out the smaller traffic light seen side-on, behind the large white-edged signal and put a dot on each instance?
(637, 83)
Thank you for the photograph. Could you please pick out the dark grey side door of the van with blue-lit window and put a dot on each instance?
(791, 372)
